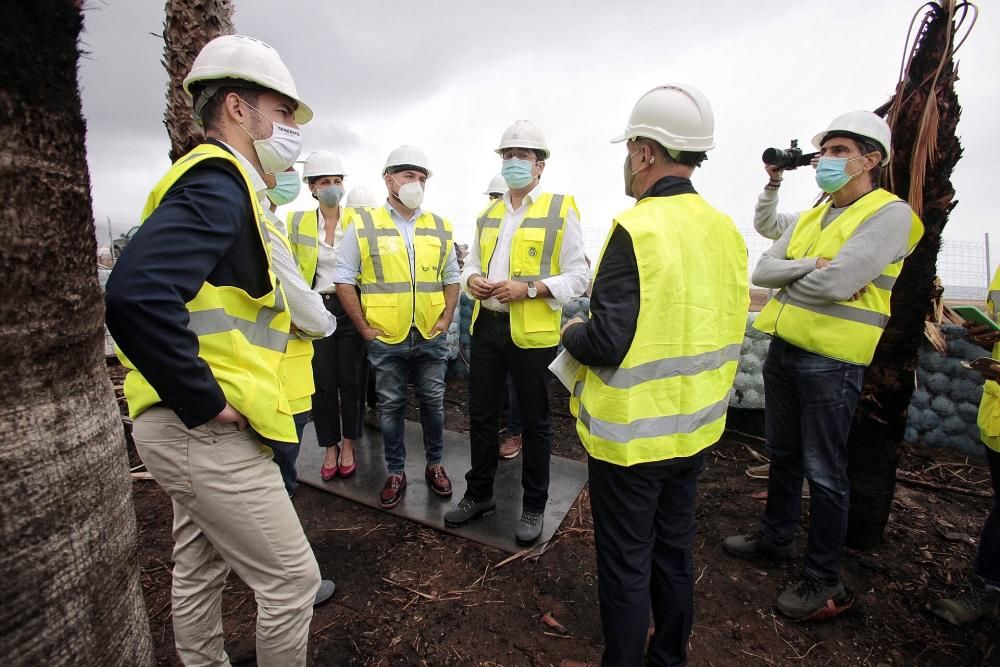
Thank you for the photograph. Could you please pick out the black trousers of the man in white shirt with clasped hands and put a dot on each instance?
(493, 356)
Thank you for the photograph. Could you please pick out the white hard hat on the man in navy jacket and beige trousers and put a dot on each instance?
(247, 59)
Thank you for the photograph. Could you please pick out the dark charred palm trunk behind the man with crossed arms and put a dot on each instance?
(923, 115)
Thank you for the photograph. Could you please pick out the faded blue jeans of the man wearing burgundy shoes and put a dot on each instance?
(428, 361)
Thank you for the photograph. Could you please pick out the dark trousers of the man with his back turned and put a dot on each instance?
(644, 529)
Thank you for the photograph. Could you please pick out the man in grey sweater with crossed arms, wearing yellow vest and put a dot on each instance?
(834, 267)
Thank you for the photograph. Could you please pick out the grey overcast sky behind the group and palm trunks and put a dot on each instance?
(449, 76)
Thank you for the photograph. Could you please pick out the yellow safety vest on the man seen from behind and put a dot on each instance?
(669, 396)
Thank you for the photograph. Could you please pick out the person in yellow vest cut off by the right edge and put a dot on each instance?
(981, 599)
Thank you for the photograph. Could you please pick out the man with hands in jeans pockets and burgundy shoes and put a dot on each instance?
(403, 260)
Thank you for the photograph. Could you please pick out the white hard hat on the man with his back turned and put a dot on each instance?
(674, 115)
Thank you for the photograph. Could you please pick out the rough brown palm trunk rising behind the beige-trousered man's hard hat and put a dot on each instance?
(188, 26)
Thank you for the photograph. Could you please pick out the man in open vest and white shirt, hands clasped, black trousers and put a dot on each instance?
(526, 262)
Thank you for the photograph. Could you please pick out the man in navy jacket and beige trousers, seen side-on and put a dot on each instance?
(202, 325)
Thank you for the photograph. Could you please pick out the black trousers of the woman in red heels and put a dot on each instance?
(340, 371)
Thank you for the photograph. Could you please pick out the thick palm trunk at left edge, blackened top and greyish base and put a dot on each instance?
(70, 587)
